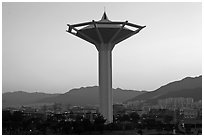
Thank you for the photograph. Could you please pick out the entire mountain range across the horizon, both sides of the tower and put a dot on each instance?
(187, 87)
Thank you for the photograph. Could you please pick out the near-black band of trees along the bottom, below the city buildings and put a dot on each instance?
(19, 123)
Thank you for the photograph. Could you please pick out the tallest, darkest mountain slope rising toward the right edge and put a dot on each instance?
(187, 87)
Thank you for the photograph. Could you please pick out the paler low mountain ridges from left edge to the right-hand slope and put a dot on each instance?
(81, 96)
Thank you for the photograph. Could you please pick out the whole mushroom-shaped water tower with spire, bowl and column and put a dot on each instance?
(105, 34)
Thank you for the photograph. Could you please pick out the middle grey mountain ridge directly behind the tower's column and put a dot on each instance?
(90, 96)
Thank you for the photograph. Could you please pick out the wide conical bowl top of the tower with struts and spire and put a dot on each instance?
(104, 31)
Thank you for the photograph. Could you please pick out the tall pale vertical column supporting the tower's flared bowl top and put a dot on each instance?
(105, 83)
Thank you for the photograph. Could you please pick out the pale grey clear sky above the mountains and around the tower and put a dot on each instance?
(38, 54)
